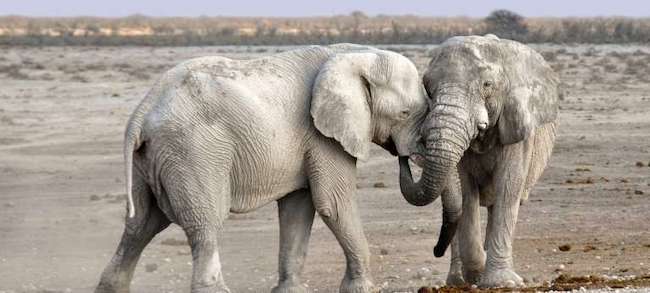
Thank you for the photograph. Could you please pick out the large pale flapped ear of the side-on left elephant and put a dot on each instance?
(340, 101)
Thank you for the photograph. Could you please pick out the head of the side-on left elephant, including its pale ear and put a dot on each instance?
(365, 95)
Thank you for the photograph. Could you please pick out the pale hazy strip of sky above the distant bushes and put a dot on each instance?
(473, 8)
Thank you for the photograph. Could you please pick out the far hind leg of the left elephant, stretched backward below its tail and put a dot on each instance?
(138, 232)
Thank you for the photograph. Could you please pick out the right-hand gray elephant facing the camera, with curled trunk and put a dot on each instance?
(491, 127)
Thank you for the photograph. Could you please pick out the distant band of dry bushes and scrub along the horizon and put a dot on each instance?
(357, 27)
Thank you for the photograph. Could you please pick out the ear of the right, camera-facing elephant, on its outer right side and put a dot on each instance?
(532, 98)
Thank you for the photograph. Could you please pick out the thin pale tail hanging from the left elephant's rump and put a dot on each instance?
(132, 142)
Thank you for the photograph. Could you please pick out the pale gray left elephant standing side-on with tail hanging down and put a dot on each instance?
(217, 136)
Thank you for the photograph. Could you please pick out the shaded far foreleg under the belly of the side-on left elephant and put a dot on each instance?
(296, 212)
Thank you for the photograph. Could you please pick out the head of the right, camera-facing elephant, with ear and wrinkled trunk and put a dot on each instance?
(484, 91)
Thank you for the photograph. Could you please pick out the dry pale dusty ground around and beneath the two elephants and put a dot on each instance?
(62, 114)
